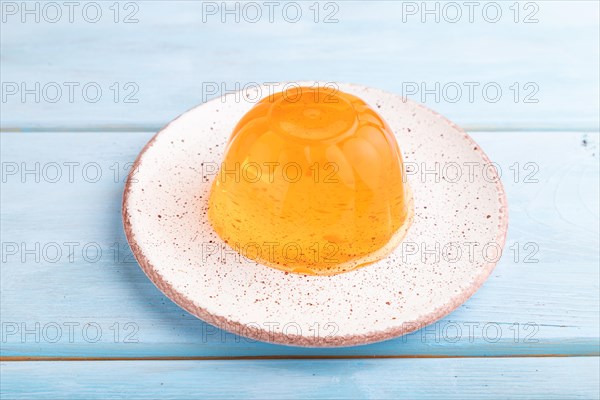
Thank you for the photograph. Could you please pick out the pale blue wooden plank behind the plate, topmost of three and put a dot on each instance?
(170, 55)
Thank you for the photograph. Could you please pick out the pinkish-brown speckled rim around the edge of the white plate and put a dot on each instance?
(258, 334)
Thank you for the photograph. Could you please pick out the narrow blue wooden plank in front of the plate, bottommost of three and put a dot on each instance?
(511, 378)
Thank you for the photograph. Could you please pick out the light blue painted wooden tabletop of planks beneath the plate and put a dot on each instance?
(84, 89)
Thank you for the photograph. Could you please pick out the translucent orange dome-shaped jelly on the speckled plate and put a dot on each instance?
(312, 183)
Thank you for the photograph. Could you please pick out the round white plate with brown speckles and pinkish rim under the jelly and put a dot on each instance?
(458, 232)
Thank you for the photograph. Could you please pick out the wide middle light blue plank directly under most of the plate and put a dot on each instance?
(81, 304)
